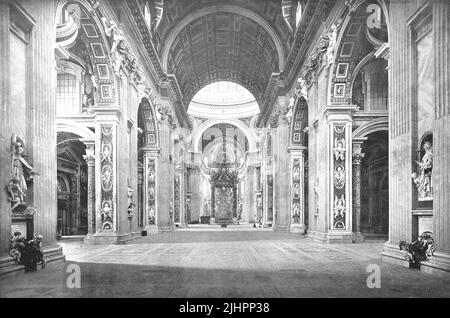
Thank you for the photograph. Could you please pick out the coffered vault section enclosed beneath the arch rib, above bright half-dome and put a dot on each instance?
(223, 46)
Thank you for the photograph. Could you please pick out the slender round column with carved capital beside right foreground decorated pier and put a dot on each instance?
(356, 194)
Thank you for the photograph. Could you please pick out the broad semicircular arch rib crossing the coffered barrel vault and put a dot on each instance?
(222, 8)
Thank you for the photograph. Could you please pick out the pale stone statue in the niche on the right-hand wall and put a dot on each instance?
(423, 181)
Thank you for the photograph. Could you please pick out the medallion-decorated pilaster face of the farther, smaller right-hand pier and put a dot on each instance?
(297, 193)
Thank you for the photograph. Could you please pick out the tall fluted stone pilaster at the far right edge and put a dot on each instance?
(441, 138)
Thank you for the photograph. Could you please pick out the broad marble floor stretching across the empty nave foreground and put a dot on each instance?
(237, 261)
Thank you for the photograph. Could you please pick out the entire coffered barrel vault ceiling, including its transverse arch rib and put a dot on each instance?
(202, 42)
